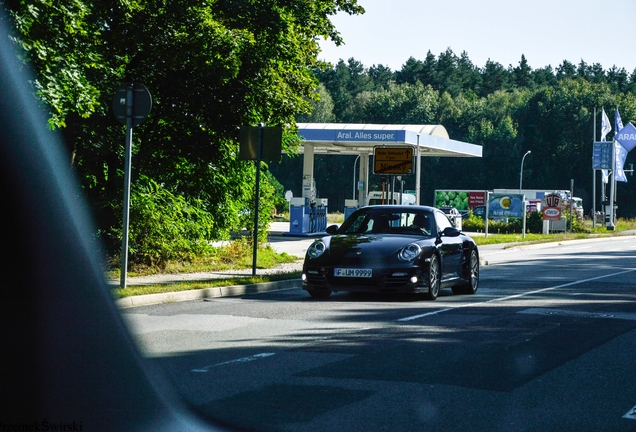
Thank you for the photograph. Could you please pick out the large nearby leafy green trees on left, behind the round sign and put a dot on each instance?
(211, 66)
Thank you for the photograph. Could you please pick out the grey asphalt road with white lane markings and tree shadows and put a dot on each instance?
(547, 343)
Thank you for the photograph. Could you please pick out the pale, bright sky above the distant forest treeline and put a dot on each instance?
(547, 32)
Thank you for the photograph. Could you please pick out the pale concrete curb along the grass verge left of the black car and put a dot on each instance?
(206, 293)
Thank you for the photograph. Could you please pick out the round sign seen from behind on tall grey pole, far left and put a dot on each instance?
(131, 105)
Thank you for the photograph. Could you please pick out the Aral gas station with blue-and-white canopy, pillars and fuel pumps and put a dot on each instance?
(395, 150)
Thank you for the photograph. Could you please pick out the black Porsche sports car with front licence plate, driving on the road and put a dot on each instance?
(394, 249)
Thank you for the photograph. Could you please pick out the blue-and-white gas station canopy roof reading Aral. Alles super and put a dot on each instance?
(355, 139)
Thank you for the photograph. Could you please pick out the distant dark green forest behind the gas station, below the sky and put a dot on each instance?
(508, 111)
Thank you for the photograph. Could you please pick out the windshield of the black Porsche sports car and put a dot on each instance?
(389, 221)
